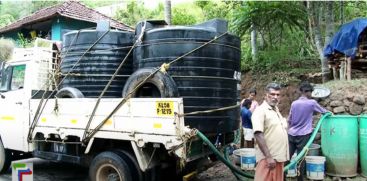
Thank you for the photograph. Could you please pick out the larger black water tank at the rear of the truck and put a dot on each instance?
(206, 79)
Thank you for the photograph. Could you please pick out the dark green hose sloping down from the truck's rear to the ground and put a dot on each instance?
(221, 157)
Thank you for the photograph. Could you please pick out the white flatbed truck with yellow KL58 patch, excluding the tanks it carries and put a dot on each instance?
(144, 139)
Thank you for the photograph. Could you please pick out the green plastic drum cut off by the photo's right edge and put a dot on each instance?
(363, 144)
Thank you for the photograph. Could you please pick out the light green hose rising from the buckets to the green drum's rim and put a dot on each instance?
(305, 149)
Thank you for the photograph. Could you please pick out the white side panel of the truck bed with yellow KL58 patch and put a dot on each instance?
(143, 120)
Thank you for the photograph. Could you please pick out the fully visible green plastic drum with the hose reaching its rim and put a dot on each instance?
(339, 144)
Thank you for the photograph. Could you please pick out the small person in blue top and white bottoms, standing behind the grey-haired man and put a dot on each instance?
(246, 123)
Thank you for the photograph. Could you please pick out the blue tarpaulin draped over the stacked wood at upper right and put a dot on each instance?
(346, 39)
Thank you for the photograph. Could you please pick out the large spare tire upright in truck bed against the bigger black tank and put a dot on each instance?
(159, 85)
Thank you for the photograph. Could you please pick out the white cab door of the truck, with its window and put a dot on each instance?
(14, 120)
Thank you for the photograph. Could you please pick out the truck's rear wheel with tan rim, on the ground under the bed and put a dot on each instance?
(109, 166)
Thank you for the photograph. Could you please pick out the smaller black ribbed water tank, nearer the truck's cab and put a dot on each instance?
(95, 69)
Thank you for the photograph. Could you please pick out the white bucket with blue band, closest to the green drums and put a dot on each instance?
(315, 167)
